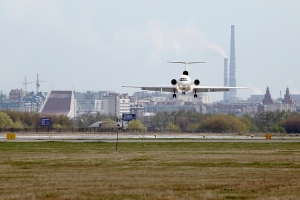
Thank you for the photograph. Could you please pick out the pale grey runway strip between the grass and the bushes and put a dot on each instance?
(146, 137)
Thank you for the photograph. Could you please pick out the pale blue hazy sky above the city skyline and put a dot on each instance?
(104, 44)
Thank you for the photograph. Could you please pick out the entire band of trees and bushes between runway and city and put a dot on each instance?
(180, 121)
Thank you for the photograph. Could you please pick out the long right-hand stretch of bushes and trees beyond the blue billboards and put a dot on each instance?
(190, 121)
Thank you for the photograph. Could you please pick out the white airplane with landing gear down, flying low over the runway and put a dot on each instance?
(185, 84)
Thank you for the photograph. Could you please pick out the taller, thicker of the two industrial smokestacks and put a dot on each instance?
(232, 67)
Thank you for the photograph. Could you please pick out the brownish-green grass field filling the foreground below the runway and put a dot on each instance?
(61, 170)
